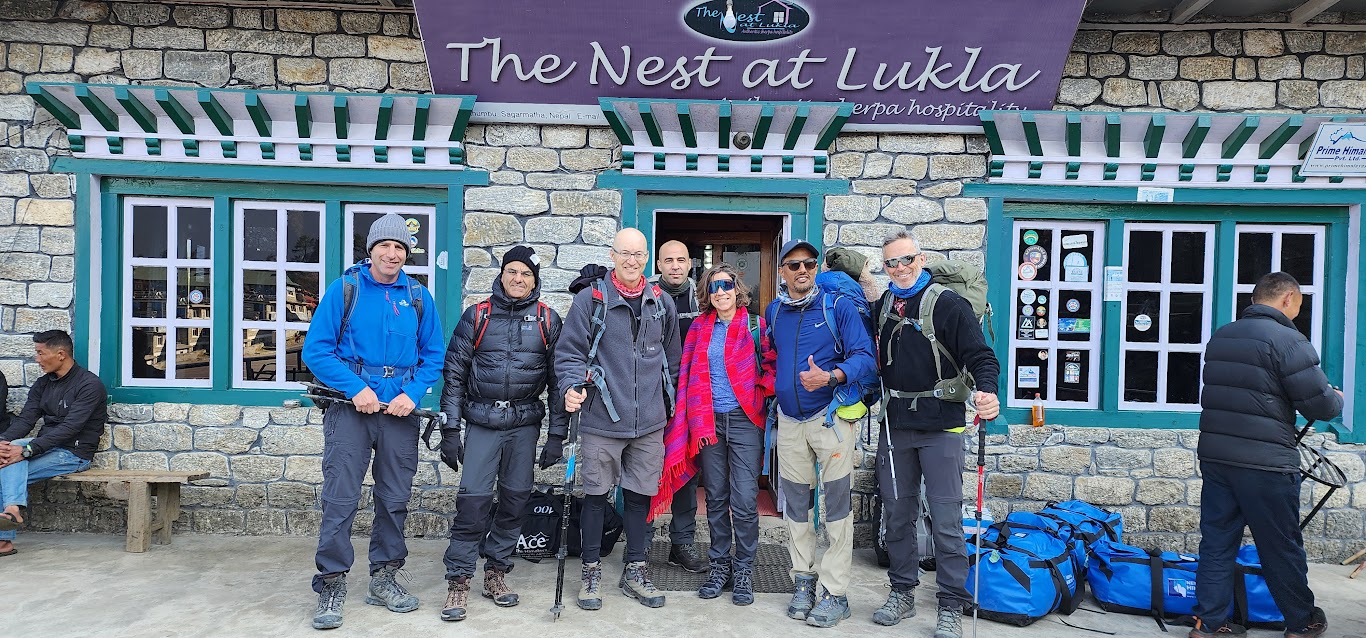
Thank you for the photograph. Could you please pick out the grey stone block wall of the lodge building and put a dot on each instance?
(264, 464)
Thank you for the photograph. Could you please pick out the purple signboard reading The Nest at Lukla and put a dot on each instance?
(904, 64)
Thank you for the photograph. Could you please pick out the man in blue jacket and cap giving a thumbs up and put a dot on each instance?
(811, 367)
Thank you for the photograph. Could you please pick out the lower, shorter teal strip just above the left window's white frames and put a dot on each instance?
(253, 191)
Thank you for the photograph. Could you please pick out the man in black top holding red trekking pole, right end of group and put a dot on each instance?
(924, 427)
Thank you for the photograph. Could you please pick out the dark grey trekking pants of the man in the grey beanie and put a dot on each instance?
(349, 439)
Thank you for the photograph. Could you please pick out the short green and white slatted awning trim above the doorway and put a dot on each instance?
(722, 137)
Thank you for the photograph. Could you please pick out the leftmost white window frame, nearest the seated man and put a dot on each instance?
(171, 264)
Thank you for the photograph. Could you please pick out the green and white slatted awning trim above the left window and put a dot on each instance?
(260, 128)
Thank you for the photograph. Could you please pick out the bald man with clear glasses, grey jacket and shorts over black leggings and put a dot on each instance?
(632, 363)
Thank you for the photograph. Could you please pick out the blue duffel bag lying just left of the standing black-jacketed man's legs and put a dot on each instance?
(1144, 583)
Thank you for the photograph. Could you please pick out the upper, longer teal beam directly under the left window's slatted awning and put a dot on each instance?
(234, 173)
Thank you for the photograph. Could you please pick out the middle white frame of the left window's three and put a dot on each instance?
(279, 267)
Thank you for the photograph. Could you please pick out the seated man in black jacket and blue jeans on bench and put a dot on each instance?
(72, 404)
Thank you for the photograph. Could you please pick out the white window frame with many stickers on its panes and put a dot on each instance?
(1053, 345)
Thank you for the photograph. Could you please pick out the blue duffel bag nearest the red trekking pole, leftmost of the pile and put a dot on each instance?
(1025, 576)
